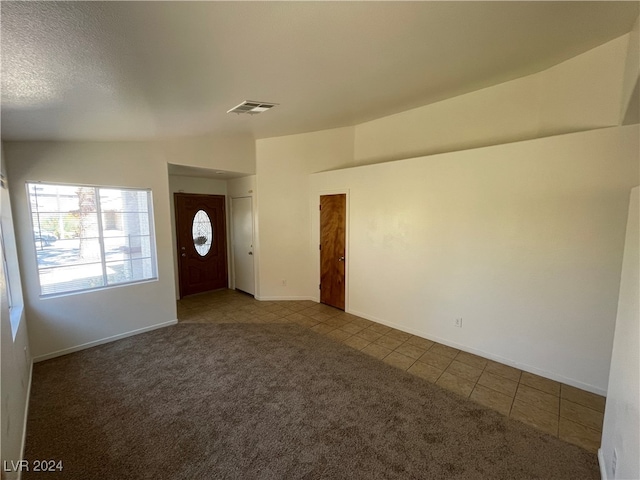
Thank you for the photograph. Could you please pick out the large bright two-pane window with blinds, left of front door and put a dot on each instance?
(91, 237)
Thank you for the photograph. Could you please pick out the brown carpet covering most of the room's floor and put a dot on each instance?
(239, 401)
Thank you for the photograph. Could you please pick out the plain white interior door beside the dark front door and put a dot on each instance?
(242, 218)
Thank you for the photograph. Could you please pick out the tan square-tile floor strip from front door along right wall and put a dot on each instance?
(563, 411)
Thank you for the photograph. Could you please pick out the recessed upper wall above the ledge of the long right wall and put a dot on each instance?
(579, 94)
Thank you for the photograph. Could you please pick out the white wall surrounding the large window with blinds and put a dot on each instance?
(62, 324)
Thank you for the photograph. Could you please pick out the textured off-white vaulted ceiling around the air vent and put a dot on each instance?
(140, 70)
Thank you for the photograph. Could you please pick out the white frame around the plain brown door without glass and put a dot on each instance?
(315, 242)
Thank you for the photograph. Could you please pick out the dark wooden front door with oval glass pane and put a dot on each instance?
(202, 246)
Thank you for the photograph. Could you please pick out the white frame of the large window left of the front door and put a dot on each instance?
(103, 262)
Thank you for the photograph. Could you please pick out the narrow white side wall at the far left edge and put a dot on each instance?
(15, 353)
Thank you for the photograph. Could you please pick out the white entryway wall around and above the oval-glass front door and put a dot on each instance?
(182, 184)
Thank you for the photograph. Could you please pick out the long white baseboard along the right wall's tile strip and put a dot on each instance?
(497, 358)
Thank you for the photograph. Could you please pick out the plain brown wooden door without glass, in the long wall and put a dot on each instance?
(333, 220)
